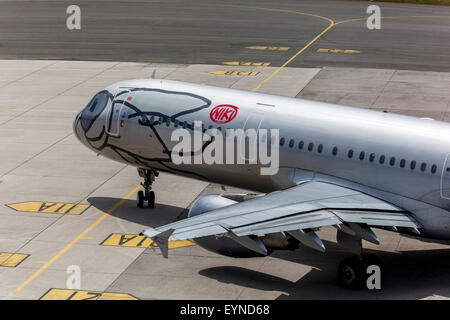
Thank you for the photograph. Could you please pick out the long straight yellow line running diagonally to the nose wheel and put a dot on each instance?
(74, 241)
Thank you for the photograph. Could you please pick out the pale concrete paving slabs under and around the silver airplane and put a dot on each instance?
(64, 209)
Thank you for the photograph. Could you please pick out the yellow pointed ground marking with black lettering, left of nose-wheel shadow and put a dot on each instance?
(49, 207)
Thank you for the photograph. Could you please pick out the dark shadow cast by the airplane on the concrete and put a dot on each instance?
(407, 275)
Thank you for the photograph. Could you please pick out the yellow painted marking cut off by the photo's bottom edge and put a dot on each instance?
(67, 294)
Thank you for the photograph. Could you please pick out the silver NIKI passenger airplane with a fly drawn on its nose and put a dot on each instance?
(350, 168)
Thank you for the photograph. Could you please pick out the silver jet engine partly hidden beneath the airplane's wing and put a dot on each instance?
(226, 246)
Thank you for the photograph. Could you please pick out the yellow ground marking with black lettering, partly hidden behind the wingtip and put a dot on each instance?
(133, 240)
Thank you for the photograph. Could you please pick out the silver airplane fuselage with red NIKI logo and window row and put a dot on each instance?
(339, 144)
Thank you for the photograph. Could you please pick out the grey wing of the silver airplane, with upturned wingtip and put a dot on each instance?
(297, 211)
